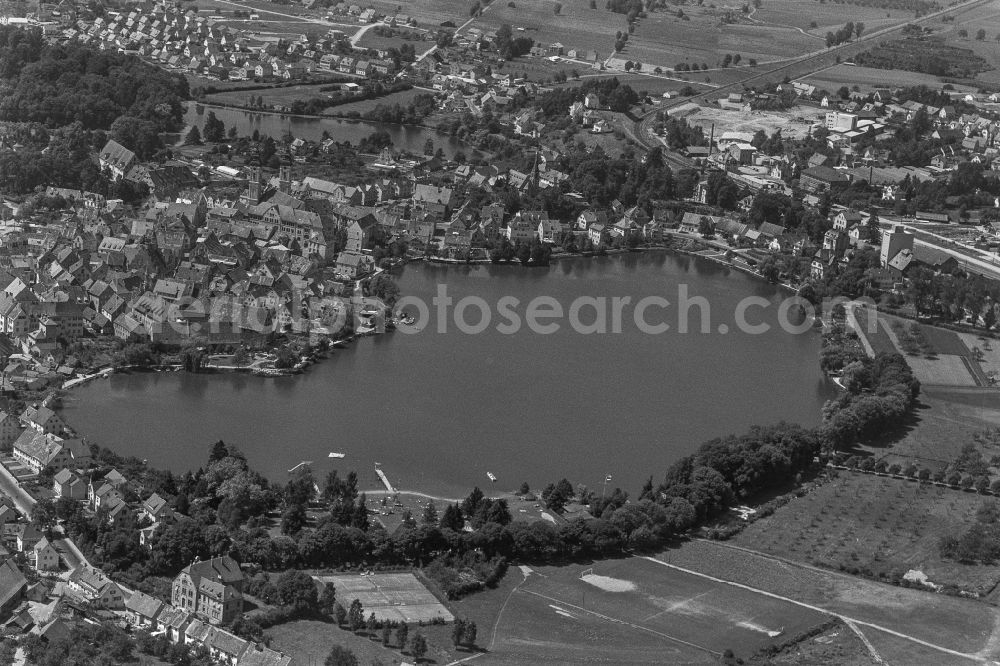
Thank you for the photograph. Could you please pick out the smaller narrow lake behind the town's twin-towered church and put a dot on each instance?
(404, 137)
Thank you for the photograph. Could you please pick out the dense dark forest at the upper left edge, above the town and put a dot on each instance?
(59, 85)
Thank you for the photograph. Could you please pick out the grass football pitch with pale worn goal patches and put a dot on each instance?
(635, 611)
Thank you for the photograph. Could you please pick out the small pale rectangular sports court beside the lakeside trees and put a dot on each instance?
(395, 597)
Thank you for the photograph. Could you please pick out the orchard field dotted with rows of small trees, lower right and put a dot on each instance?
(879, 526)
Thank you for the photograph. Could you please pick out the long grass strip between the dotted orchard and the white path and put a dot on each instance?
(950, 623)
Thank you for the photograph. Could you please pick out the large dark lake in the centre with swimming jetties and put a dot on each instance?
(440, 410)
